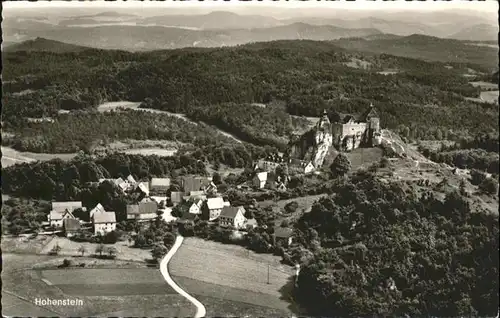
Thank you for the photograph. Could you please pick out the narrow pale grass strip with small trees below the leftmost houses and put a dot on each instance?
(124, 251)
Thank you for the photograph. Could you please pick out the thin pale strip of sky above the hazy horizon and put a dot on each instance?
(398, 5)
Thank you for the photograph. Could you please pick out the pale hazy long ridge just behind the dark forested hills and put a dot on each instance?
(142, 38)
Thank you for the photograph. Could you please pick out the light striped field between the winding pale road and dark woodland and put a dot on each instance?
(230, 272)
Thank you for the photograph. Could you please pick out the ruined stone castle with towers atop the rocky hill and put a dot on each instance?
(351, 132)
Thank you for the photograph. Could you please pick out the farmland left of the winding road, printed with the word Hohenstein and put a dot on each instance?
(21, 285)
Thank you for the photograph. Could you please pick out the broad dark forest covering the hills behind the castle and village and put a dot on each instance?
(307, 76)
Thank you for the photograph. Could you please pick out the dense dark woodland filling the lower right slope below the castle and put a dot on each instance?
(378, 249)
